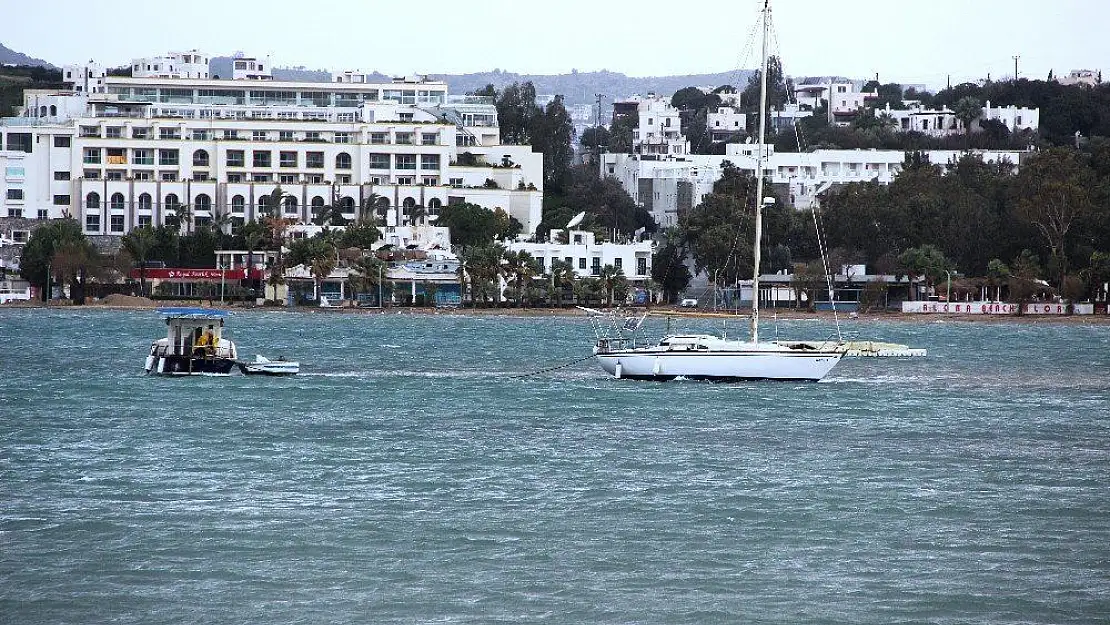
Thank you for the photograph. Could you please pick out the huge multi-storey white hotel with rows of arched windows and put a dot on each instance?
(134, 152)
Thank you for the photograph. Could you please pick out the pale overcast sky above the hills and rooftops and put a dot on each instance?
(901, 41)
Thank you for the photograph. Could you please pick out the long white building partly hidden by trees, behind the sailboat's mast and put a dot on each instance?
(668, 187)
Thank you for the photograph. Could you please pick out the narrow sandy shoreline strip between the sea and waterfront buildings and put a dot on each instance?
(783, 315)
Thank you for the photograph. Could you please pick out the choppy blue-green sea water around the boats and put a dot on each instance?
(475, 469)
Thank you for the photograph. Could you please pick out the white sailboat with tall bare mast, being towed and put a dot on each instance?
(705, 357)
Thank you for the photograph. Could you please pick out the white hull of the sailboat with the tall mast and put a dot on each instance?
(722, 367)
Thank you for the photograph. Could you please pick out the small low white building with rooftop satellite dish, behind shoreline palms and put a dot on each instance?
(589, 257)
